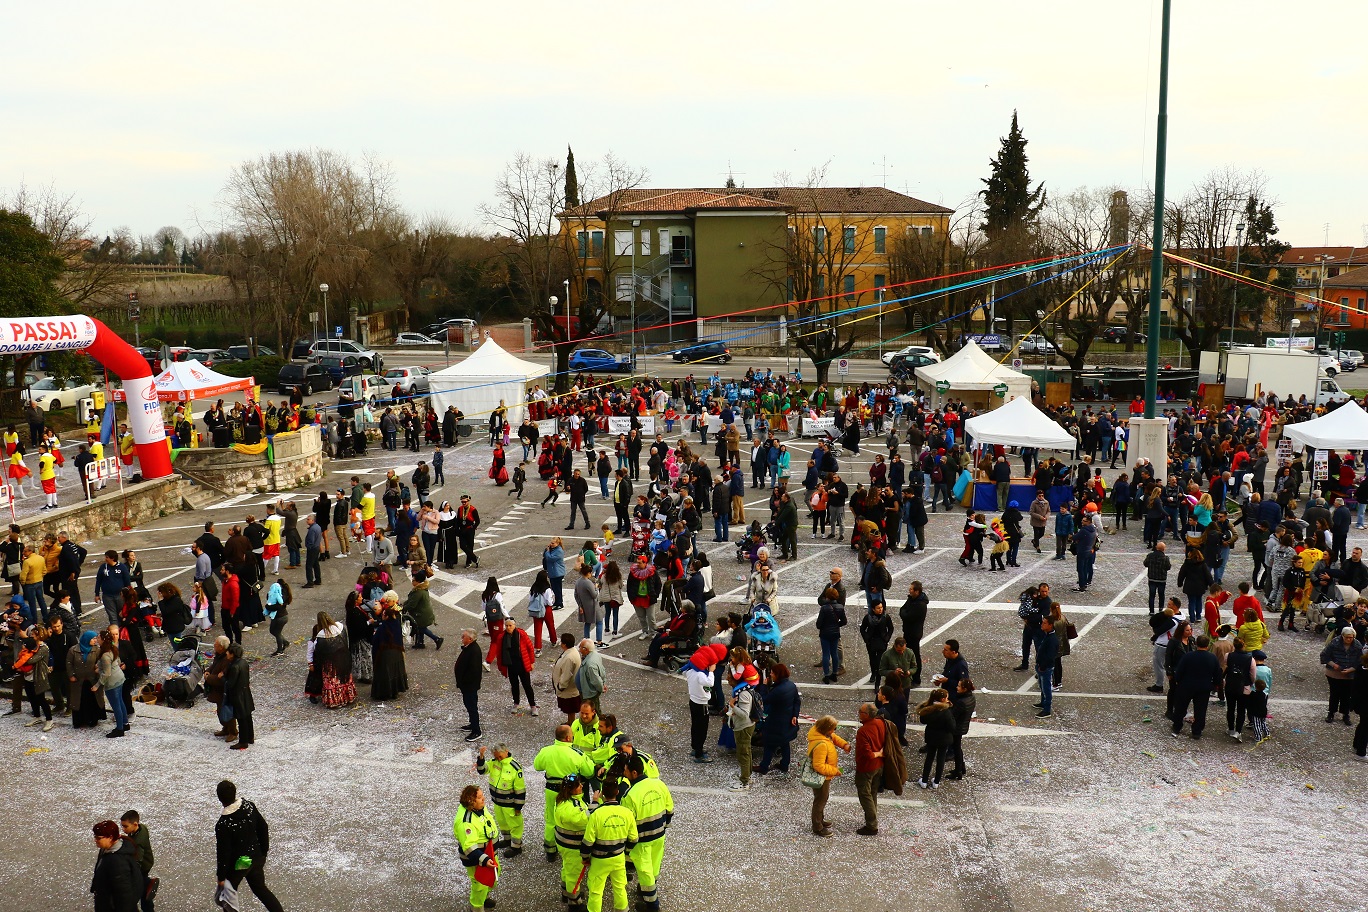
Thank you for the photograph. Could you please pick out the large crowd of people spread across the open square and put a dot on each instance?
(605, 809)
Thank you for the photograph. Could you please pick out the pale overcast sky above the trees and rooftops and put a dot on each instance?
(143, 110)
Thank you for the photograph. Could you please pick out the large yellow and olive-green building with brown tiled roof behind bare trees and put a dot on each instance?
(711, 252)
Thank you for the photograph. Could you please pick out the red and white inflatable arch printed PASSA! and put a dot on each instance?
(35, 336)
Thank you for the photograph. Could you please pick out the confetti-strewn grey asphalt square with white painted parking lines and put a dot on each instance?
(1094, 809)
